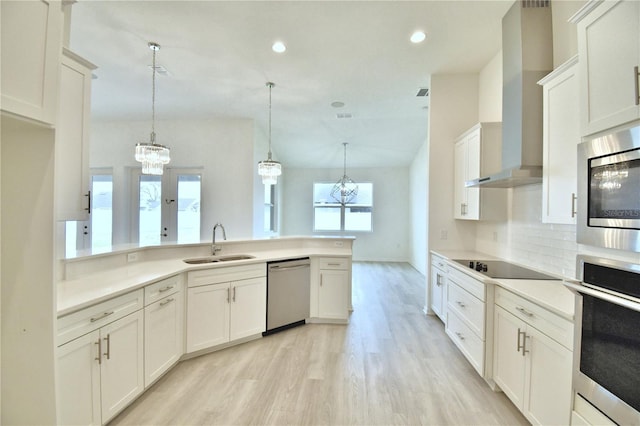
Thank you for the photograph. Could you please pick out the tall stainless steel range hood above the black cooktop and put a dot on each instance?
(527, 56)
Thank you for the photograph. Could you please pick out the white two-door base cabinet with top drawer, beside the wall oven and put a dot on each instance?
(533, 369)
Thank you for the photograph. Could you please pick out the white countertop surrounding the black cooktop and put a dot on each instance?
(550, 294)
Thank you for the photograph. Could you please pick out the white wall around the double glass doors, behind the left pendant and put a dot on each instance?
(224, 148)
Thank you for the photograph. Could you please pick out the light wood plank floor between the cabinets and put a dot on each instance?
(390, 365)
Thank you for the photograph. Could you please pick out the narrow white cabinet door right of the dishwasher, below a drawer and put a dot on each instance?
(333, 294)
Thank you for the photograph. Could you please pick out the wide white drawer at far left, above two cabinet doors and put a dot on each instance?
(89, 319)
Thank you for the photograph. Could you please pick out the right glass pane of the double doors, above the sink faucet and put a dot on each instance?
(189, 208)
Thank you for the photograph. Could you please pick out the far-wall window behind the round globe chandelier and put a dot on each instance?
(329, 215)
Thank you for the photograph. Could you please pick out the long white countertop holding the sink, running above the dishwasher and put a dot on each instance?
(93, 288)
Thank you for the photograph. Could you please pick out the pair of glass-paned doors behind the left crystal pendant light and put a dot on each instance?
(168, 206)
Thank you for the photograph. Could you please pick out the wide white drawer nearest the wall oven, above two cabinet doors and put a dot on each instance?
(554, 326)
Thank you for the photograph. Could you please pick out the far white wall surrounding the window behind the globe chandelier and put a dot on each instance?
(389, 240)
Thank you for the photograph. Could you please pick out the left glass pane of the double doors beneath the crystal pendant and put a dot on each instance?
(150, 215)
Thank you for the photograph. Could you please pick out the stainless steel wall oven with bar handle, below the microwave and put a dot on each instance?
(607, 355)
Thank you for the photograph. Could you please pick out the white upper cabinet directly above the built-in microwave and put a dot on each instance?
(609, 50)
